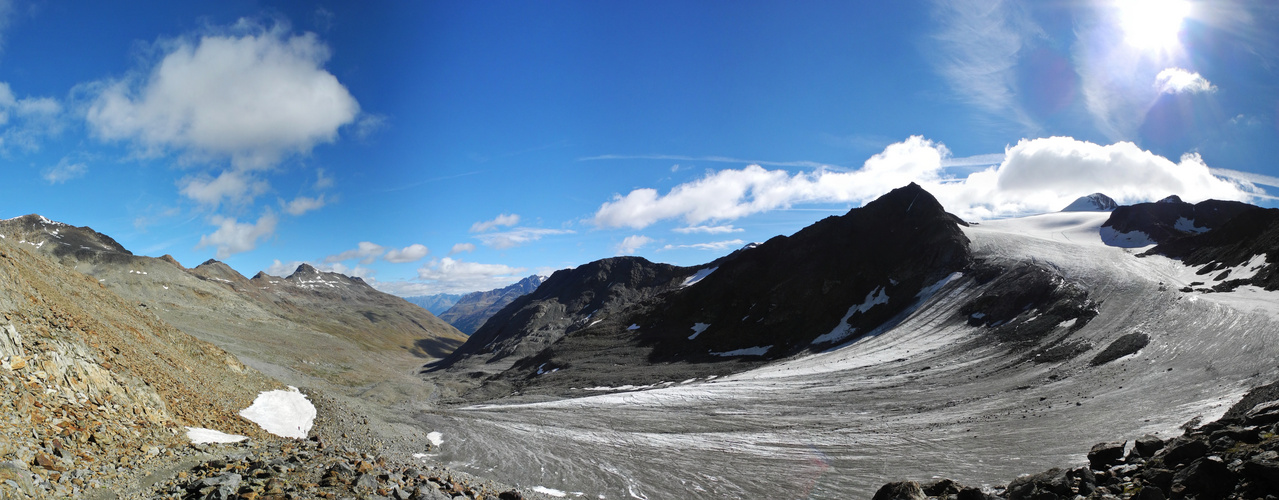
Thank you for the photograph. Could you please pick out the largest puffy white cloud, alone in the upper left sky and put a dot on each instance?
(253, 97)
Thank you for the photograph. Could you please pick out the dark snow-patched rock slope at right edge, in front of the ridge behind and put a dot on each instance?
(1244, 251)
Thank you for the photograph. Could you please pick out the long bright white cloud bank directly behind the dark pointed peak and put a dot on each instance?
(1037, 176)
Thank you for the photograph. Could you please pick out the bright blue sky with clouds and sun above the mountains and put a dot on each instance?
(460, 146)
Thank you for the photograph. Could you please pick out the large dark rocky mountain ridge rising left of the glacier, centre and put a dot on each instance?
(627, 320)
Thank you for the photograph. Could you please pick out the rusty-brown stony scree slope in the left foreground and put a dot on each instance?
(97, 387)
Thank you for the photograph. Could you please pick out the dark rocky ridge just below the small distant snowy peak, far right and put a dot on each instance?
(1166, 221)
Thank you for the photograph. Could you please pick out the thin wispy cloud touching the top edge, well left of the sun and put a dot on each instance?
(978, 52)
